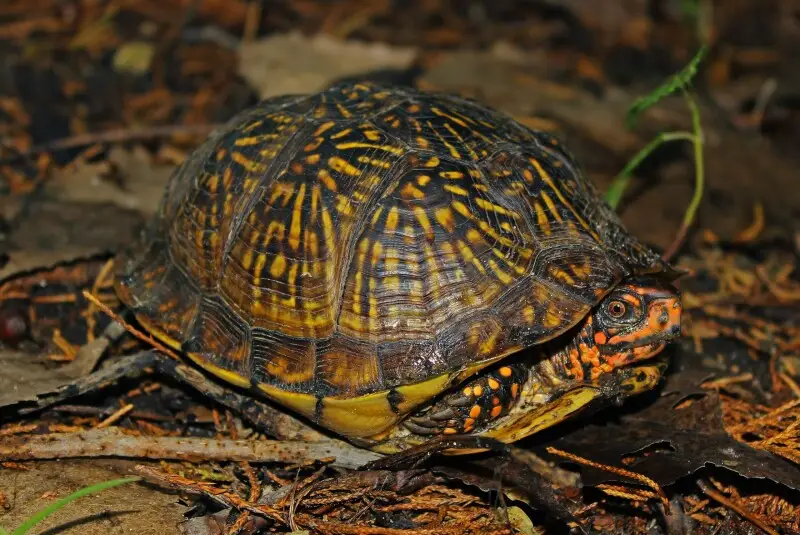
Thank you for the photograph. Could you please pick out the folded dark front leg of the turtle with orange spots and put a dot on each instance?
(474, 405)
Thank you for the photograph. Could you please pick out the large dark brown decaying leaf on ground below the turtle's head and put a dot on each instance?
(679, 433)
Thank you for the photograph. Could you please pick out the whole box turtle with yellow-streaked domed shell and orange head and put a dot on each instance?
(395, 265)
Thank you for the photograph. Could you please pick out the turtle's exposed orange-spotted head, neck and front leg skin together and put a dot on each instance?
(633, 323)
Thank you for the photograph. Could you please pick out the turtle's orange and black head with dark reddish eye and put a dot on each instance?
(635, 321)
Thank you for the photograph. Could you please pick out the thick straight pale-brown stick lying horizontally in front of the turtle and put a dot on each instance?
(112, 443)
